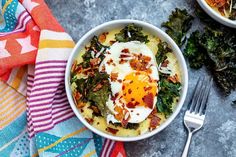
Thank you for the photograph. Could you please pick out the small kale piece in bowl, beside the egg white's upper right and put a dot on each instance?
(163, 49)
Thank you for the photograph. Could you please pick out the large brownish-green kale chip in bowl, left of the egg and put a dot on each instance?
(86, 87)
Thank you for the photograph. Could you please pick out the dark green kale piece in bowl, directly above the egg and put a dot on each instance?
(131, 33)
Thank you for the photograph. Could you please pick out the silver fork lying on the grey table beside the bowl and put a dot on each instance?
(195, 114)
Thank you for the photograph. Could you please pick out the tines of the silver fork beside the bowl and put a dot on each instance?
(200, 96)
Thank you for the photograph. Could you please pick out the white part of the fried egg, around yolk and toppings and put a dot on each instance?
(139, 113)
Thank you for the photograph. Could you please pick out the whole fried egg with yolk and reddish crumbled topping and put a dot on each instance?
(133, 78)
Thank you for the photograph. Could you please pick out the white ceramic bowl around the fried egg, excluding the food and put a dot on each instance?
(106, 27)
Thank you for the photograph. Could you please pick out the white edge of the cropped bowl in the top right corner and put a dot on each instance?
(215, 15)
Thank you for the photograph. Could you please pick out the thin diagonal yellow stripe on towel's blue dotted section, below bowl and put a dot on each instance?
(62, 139)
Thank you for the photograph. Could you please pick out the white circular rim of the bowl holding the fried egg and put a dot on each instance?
(176, 50)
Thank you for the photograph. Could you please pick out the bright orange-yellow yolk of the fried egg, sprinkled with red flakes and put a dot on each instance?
(139, 90)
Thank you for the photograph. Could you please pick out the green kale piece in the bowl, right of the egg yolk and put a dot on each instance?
(167, 94)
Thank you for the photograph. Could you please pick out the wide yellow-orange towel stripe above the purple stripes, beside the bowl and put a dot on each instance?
(47, 43)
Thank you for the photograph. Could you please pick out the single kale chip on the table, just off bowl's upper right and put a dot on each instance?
(178, 24)
